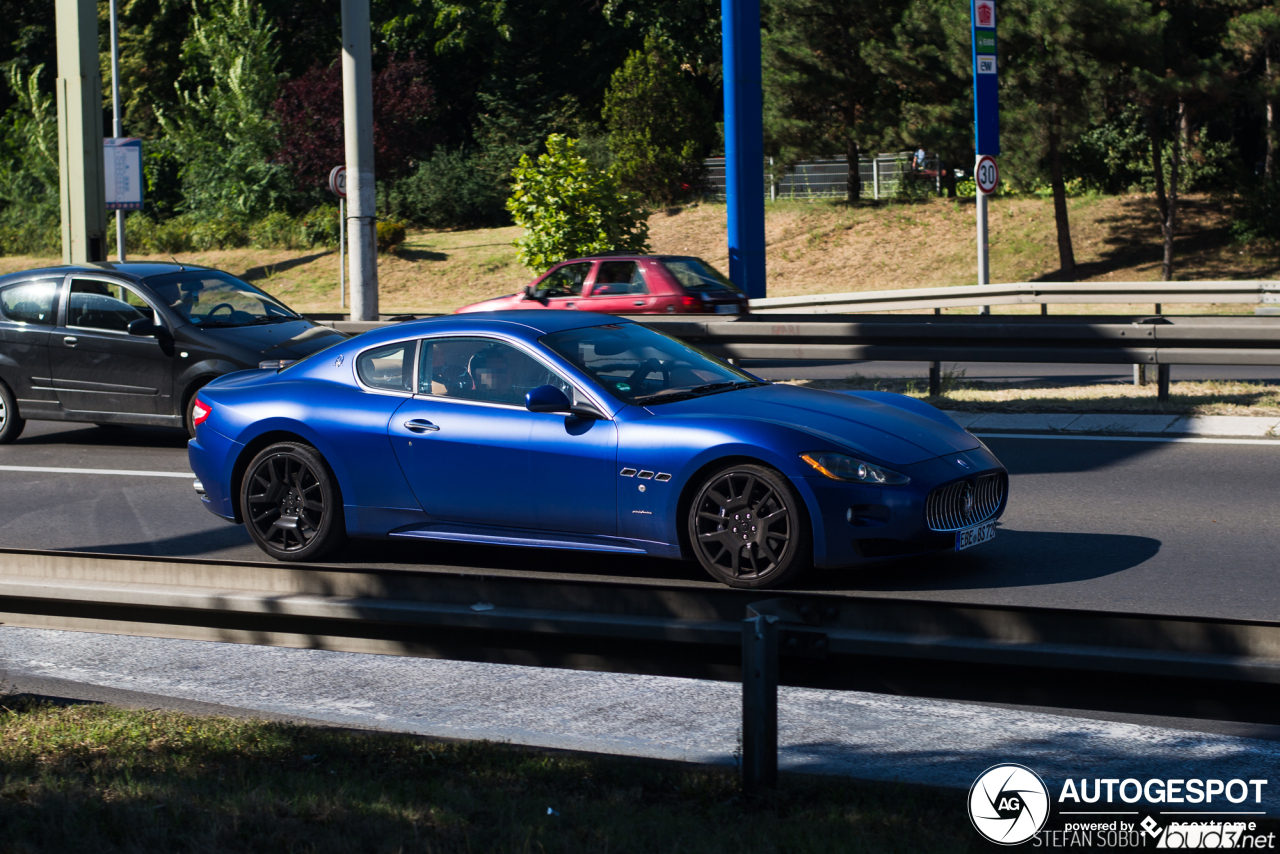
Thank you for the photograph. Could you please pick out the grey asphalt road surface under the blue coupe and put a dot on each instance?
(1154, 528)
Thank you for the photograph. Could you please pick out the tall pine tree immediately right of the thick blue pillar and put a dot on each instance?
(821, 89)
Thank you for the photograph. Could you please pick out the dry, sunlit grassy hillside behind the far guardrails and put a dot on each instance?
(813, 248)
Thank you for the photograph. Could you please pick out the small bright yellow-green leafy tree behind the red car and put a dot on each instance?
(569, 209)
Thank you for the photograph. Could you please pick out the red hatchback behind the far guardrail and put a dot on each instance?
(628, 285)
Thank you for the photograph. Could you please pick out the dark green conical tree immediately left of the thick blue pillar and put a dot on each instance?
(659, 130)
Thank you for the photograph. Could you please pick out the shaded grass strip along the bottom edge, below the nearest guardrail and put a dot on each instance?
(97, 779)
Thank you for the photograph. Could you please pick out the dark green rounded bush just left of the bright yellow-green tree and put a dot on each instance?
(452, 190)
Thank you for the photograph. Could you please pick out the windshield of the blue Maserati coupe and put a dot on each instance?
(639, 366)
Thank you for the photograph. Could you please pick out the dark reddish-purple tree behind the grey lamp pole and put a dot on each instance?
(312, 131)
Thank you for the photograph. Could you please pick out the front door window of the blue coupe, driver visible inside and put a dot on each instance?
(482, 369)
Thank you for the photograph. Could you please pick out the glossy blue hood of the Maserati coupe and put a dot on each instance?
(876, 428)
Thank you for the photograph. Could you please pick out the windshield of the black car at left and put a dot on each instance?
(212, 299)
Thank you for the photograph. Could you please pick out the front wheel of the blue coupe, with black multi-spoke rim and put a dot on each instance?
(749, 528)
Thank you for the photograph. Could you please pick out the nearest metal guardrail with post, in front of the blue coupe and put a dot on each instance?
(1095, 660)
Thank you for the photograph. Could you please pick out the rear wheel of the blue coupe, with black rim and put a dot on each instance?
(291, 504)
